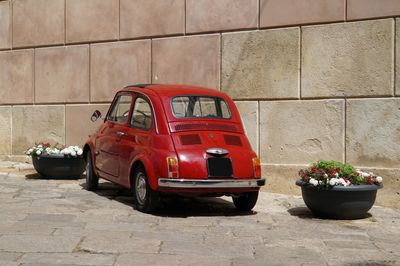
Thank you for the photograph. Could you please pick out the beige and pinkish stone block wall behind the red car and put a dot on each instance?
(312, 79)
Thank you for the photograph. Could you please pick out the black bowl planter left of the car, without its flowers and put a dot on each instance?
(58, 166)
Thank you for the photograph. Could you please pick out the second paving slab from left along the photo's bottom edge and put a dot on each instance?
(68, 259)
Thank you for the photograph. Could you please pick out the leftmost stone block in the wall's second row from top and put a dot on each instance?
(16, 76)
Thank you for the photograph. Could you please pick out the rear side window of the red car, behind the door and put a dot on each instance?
(141, 116)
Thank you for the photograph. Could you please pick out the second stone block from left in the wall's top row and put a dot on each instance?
(38, 22)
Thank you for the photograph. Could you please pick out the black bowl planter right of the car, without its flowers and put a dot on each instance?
(338, 202)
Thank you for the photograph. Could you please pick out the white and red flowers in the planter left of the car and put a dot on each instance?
(44, 148)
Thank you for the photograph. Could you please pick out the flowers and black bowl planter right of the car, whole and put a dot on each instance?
(337, 190)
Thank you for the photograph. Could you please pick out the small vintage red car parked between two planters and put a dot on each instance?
(169, 139)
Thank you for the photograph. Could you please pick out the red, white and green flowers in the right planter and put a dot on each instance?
(332, 173)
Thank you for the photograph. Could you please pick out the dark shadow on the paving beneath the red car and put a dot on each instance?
(174, 206)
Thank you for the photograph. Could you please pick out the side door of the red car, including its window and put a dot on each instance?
(109, 138)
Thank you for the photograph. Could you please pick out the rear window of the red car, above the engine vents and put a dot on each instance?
(200, 107)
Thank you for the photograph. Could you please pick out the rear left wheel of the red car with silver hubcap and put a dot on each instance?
(145, 199)
